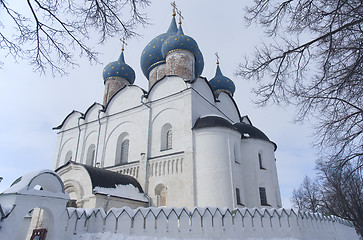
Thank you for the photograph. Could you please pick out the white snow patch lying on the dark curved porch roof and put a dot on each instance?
(124, 191)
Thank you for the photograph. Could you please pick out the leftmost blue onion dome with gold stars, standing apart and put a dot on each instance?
(119, 69)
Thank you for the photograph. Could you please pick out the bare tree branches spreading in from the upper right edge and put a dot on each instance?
(322, 77)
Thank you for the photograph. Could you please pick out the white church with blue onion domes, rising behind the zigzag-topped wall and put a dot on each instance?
(183, 142)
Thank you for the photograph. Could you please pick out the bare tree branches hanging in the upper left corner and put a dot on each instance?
(54, 29)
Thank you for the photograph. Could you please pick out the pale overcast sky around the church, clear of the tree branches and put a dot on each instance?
(33, 104)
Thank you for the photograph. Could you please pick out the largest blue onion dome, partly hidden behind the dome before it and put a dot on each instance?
(151, 55)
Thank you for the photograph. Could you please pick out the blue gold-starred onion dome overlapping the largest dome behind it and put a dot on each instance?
(180, 41)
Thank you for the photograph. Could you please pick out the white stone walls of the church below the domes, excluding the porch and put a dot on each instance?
(196, 160)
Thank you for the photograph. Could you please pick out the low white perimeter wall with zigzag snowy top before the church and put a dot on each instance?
(211, 223)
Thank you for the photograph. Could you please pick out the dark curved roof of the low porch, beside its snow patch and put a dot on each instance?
(105, 178)
